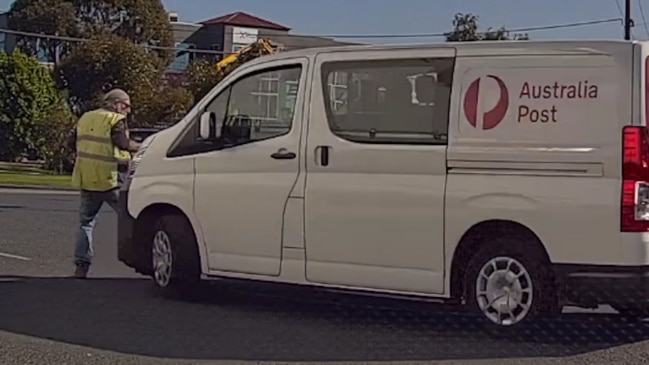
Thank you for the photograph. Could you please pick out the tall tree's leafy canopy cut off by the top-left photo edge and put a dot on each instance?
(143, 22)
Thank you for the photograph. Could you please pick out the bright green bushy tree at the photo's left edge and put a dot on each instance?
(27, 95)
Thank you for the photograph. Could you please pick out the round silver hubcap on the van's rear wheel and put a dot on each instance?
(504, 291)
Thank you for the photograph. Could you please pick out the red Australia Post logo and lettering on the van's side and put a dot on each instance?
(488, 101)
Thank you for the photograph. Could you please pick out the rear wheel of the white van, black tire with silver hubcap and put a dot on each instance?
(531, 294)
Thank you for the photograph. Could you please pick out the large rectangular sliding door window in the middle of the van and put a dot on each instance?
(397, 101)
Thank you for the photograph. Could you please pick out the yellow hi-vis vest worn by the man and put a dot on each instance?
(96, 163)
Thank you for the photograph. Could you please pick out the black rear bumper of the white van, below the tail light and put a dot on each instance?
(589, 285)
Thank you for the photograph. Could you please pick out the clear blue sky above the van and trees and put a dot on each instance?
(363, 17)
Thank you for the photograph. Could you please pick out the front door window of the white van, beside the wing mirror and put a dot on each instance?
(255, 107)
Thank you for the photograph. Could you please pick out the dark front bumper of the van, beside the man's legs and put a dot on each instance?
(129, 252)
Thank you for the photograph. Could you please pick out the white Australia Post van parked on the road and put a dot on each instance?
(509, 177)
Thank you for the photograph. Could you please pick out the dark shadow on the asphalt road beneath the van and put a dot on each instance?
(249, 322)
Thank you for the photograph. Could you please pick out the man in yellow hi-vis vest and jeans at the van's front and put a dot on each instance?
(103, 152)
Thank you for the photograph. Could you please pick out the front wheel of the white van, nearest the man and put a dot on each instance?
(175, 258)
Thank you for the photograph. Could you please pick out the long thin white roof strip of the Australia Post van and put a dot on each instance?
(482, 48)
